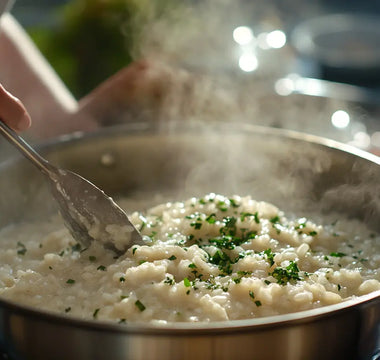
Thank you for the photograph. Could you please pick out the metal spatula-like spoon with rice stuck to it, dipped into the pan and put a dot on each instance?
(88, 213)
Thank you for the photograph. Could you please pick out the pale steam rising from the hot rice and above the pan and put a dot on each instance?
(191, 77)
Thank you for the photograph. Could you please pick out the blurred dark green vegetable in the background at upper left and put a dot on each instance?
(93, 39)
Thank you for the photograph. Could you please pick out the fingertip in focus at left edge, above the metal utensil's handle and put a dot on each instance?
(13, 112)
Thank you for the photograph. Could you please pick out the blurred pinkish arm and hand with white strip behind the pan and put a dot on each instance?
(141, 86)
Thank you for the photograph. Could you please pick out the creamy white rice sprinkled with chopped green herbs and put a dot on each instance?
(206, 259)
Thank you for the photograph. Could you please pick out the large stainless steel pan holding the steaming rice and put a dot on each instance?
(299, 173)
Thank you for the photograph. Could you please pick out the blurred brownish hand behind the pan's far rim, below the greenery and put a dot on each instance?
(143, 89)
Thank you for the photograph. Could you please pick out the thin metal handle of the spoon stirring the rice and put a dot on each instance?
(24, 148)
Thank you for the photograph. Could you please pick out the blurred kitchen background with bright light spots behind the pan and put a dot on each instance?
(311, 66)
